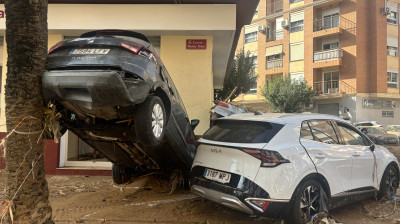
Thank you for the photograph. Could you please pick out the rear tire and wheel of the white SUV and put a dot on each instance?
(305, 202)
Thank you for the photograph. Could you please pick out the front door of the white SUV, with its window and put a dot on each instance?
(363, 173)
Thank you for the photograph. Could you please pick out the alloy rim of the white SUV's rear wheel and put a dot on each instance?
(309, 204)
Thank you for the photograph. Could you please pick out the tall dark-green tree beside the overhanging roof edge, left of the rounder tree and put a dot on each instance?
(241, 75)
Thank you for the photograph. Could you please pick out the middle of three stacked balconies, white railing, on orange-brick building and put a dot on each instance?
(328, 58)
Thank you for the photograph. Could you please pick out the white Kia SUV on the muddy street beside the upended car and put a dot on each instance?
(292, 166)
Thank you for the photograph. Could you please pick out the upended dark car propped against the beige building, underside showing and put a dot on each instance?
(114, 92)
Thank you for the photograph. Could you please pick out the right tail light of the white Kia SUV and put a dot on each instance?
(268, 158)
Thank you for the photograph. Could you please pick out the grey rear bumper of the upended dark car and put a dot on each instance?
(93, 88)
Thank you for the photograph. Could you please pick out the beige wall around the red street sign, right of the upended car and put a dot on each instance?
(191, 71)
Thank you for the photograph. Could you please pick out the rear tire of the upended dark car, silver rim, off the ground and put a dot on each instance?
(150, 121)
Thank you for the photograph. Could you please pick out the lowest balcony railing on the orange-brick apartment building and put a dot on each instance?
(332, 87)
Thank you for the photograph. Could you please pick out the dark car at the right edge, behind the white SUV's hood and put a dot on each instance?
(379, 136)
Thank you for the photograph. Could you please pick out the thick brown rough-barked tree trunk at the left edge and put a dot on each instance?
(26, 36)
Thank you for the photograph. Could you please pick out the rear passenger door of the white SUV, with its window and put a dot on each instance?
(331, 158)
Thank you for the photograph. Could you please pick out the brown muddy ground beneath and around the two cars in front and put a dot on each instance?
(91, 199)
